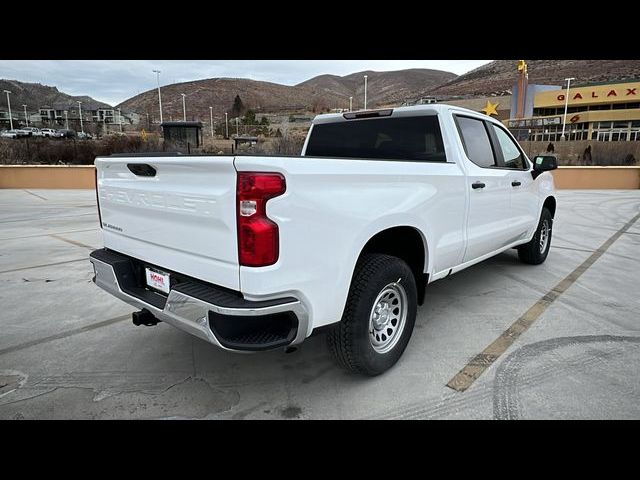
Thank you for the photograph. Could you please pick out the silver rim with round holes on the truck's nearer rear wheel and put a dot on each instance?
(388, 317)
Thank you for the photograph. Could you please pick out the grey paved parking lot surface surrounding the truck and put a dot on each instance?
(69, 349)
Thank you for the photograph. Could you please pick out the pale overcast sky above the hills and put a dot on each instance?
(113, 81)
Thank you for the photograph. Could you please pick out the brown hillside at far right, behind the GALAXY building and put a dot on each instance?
(500, 75)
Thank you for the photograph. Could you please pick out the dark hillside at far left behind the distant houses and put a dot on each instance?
(36, 95)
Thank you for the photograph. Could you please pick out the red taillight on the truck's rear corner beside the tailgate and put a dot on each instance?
(257, 235)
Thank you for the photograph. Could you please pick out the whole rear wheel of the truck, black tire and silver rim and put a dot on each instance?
(378, 318)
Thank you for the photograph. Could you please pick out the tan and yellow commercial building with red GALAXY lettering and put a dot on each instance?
(597, 111)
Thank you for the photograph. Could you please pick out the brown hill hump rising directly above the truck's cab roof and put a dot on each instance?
(383, 88)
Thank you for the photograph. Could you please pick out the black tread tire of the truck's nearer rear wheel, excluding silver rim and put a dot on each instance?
(349, 339)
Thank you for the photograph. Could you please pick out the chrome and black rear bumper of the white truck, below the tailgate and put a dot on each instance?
(212, 313)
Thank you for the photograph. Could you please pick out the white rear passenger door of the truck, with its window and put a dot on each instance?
(488, 219)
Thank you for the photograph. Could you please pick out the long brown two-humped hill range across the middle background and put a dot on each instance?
(317, 94)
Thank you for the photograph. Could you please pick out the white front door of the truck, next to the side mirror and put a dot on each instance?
(524, 201)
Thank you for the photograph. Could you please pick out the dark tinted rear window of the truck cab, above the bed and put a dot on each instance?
(403, 138)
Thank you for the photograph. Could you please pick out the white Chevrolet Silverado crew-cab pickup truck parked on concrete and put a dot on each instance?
(259, 252)
